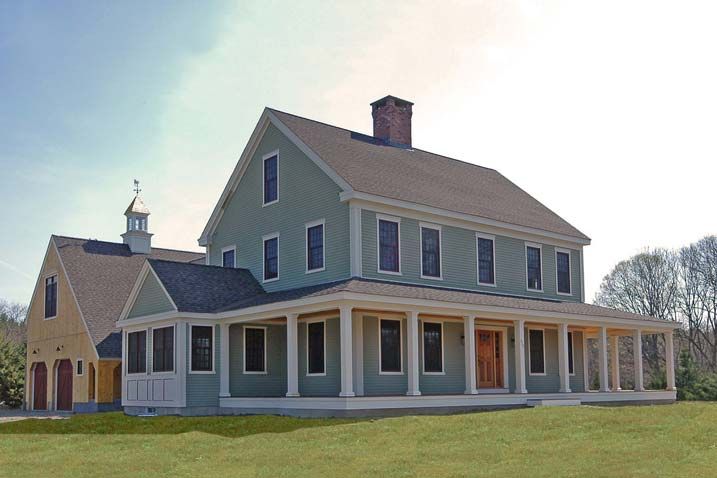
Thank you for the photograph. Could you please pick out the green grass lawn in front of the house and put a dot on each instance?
(667, 440)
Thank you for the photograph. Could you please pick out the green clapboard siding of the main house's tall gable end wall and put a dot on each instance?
(305, 194)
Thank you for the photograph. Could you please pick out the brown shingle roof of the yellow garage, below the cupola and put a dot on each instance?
(102, 275)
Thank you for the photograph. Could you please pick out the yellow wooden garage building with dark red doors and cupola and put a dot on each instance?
(74, 349)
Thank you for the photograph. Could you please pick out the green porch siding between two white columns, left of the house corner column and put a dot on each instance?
(330, 384)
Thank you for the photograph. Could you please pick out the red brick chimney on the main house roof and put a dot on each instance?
(392, 120)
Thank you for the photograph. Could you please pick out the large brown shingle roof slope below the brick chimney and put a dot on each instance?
(417, 176)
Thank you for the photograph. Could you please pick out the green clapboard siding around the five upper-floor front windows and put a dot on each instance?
(460, 263)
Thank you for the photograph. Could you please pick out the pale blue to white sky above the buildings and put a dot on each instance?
(605, 112)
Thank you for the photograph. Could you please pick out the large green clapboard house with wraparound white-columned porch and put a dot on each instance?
(352, 274)
